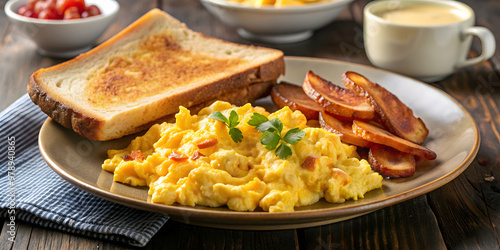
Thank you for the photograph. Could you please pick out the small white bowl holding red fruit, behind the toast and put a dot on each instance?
(64, 38)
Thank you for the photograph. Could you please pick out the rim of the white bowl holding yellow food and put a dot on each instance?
(272, 9)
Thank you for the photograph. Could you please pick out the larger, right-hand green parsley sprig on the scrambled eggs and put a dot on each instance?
(272, 134)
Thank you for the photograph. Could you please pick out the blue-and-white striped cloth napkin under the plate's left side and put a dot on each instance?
(32, 192)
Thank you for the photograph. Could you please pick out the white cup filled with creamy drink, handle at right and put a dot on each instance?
(404, 37)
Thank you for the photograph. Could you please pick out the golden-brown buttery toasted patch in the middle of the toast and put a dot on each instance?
(158, 65)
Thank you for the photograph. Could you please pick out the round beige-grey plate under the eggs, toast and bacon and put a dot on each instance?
(454, 136)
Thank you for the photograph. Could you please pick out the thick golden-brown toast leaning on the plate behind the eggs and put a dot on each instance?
(145, 72)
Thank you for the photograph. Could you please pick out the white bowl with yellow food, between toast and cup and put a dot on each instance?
(276, 25)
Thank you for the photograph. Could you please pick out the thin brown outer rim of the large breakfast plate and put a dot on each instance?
(311, 217)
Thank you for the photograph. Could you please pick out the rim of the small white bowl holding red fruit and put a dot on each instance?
(12, 14)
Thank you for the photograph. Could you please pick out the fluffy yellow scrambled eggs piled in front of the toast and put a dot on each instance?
(195, 161)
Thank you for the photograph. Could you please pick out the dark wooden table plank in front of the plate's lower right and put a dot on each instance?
(385, 228)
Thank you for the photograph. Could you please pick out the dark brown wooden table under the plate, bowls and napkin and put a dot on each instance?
(464, 213)
